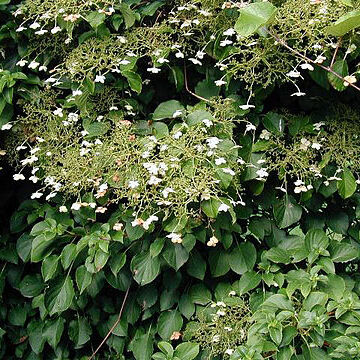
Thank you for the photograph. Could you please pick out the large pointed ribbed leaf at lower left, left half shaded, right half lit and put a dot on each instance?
(59, 295)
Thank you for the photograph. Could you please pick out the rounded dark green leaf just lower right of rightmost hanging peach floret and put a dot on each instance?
(243, 258)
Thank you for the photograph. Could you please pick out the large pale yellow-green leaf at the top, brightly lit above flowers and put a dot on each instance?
(254, 16)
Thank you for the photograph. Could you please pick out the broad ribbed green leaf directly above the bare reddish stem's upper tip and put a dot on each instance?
(145, 268)
